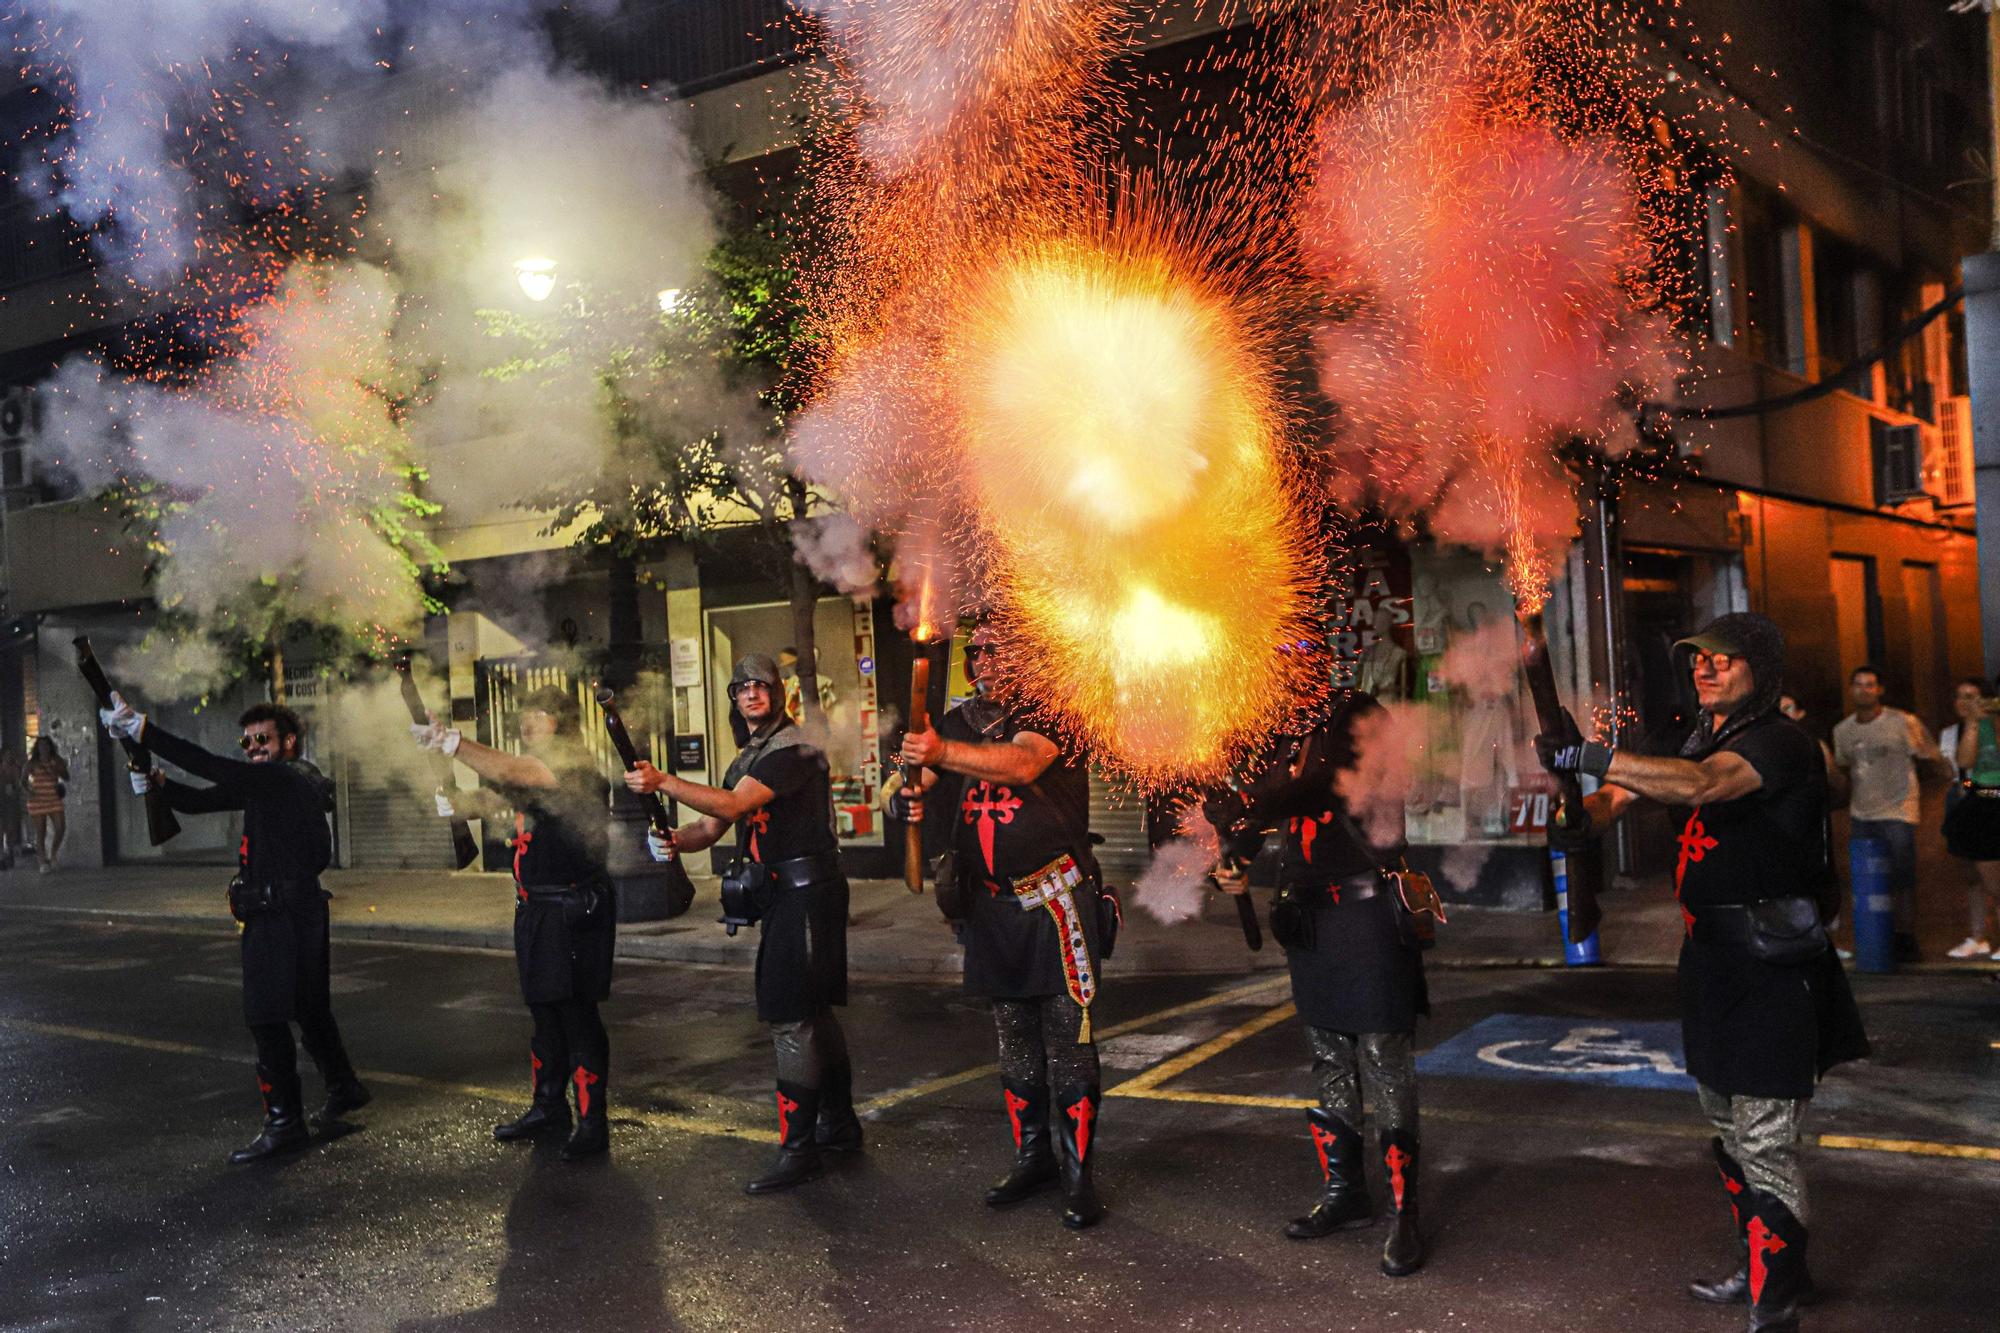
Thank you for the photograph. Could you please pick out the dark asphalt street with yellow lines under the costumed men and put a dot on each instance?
(1567, 1182)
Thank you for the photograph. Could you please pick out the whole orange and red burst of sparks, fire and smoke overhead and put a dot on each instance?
(1099, 433)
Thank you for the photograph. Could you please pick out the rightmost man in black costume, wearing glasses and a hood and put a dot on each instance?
(1765, 1008)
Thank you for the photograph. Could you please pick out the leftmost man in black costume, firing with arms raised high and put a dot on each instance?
(279, 902)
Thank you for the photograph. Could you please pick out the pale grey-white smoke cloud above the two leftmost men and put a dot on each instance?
(363, 383)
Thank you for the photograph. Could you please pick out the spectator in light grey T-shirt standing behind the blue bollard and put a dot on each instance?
(1879, 752)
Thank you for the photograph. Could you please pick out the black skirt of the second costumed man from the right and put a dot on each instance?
(1359, 976)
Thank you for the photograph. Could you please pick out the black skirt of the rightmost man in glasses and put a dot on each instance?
(1759, 1030)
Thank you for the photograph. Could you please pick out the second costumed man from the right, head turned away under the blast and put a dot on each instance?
(1357, 980)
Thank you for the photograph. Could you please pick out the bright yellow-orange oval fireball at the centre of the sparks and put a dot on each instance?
(1123, 437)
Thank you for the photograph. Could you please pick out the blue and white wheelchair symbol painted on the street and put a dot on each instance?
(1543, 1048)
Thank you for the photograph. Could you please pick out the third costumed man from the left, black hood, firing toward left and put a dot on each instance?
(787, 876)
